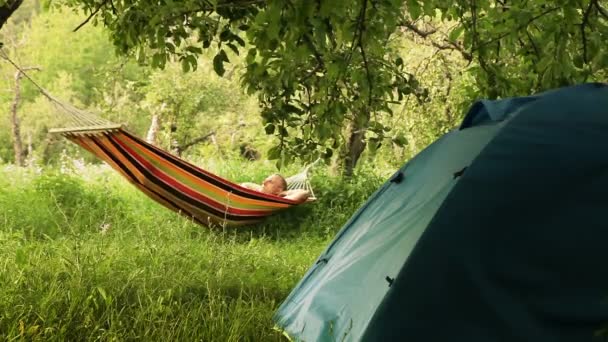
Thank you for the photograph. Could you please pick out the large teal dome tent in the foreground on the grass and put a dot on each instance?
(498, 231)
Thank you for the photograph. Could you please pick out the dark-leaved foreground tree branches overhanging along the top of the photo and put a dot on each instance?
(326, 71)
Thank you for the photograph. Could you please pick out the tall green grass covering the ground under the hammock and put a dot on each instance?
(84, 256)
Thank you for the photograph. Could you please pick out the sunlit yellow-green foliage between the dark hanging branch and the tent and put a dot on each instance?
(415, 124)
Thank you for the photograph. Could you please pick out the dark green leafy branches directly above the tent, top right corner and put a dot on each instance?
(519, 47)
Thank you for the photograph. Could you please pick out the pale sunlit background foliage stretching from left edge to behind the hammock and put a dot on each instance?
(84, 72)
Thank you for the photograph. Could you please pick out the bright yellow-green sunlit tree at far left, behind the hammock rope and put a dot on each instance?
(69, 76)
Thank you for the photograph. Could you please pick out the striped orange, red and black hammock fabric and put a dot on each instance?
(175, 183)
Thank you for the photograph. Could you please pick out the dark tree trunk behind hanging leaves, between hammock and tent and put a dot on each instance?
(355, 145)
